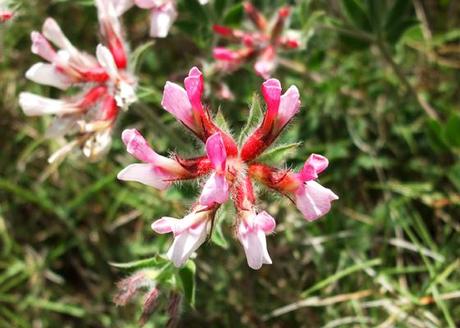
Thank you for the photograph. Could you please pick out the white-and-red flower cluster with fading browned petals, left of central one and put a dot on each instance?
(105, 85)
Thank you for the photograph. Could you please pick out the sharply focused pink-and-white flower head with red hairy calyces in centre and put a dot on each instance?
(230, 171)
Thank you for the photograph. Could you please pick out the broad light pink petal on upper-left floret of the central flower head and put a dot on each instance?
(175, 101)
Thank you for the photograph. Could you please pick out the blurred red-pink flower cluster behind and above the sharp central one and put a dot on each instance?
(260, 45)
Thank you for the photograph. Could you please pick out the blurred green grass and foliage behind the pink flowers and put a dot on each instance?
(379, 83)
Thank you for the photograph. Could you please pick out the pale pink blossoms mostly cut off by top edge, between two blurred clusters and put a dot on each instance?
(163, 13)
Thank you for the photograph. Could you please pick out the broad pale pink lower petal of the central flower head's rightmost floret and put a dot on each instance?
(314, 200)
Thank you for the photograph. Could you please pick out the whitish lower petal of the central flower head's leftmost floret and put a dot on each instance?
(147, 174)
